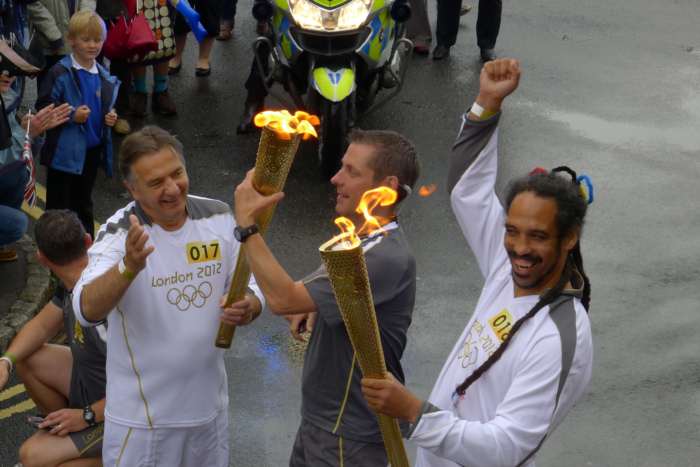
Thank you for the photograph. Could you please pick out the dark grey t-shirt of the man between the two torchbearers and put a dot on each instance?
(328, 361)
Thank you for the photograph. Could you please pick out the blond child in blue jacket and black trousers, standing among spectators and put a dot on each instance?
(73, 151)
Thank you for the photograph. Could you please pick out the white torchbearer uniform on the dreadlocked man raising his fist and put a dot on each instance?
(504, 415)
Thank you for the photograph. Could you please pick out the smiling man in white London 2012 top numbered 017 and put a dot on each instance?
(157, 271)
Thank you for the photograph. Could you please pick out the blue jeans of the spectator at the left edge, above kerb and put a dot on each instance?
(13, 222)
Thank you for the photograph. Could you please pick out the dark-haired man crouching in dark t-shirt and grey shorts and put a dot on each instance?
(67, 382)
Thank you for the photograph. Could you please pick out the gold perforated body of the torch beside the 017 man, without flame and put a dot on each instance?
(272, 164)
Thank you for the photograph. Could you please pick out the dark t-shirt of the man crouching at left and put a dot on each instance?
(89, 351)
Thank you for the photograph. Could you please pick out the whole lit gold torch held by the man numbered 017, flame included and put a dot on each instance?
(279, 141)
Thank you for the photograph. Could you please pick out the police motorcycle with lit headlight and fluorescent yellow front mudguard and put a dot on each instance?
(338, 54)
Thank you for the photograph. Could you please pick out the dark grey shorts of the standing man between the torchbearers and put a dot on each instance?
(315, 447)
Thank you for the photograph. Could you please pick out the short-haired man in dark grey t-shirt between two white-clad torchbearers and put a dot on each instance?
(338, 427)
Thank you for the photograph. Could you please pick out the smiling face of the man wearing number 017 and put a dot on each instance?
(160, 184)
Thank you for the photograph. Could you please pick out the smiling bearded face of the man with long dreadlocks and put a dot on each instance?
(536, 250)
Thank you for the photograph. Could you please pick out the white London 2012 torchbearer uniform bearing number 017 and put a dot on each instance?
(166, 382)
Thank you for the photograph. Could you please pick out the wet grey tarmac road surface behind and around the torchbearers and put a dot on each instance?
(610, 88)
